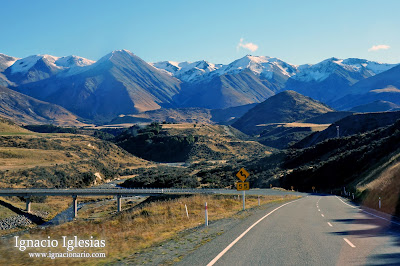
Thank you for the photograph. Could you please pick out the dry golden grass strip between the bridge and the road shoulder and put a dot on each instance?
(132, 230)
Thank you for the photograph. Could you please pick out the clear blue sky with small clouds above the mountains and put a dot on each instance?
(298, 31)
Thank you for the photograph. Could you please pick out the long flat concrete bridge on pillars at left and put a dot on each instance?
(117, 192)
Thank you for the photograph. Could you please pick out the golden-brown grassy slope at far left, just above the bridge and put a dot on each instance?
(58, 160)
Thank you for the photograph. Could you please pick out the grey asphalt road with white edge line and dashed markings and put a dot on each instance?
(314, 230)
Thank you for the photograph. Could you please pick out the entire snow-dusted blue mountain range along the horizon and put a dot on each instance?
(121, 83)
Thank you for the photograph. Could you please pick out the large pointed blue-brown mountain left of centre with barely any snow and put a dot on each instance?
(118, 83)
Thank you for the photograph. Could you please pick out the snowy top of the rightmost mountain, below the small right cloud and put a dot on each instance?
(324, 69)
